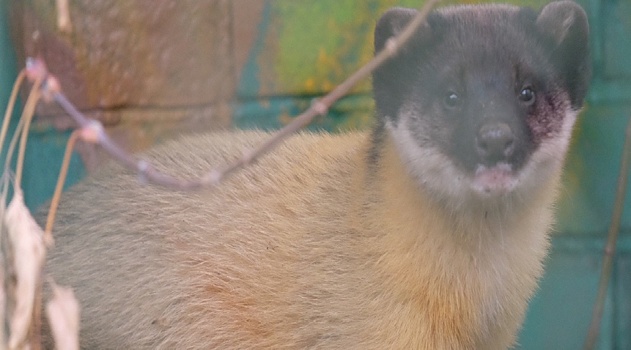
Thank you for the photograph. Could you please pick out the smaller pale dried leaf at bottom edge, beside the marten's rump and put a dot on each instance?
(63, 316)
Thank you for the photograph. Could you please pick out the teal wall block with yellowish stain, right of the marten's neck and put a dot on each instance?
(592, 172)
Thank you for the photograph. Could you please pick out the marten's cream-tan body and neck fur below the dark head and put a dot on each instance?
(312, 247)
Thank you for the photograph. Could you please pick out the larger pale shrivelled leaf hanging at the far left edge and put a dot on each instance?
(28, 257)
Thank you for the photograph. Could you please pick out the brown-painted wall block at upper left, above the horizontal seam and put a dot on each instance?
(133, 53)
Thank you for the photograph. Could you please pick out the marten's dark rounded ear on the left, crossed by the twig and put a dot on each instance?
(393, 22)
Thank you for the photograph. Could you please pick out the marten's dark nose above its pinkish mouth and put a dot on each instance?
(495, 142)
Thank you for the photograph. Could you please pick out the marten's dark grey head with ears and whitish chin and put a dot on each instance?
(482, 100)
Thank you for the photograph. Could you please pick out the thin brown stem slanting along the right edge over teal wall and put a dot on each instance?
(610, 248)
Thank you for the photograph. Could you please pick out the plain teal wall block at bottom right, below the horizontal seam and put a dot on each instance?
(560, 313)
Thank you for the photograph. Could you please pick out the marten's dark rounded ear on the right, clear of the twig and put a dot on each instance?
(564, 25)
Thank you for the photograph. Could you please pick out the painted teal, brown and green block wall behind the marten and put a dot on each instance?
(150, 70)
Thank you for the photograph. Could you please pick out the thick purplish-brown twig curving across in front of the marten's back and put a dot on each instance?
(319, 107)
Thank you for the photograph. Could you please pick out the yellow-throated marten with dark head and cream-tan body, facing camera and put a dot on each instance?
(426, 233)
